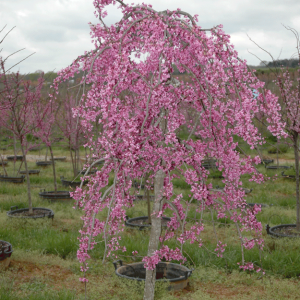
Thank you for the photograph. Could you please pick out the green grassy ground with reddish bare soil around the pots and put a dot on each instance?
(44, 264)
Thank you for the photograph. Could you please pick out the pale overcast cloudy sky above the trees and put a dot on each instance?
(58, 31)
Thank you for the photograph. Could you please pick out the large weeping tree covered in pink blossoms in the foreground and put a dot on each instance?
(139, 104)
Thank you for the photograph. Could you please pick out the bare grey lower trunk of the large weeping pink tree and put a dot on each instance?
(154, 233)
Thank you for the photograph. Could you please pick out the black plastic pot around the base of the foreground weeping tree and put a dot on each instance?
(176, 274)
